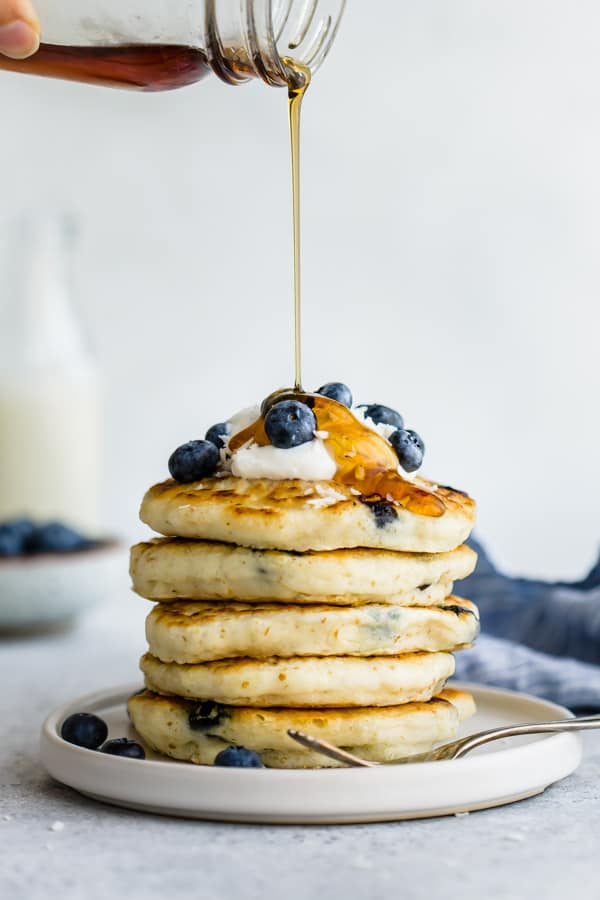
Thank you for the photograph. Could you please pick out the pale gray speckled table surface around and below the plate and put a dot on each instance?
(544, 846)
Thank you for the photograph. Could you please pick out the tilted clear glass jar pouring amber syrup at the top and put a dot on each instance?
(155, 45)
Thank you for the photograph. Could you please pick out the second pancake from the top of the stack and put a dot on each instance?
(167, 569)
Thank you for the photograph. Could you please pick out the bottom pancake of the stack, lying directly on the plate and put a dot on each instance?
(197, 732)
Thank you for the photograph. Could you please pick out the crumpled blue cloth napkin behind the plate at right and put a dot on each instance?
(537, 636)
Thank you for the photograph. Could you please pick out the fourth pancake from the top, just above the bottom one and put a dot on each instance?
(307, 681)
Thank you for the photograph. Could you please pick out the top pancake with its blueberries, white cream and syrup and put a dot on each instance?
(309, 473)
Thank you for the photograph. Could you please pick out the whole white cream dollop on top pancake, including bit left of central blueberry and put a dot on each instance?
(309, 462)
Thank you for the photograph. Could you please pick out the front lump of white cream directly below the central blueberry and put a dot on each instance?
(310, 462)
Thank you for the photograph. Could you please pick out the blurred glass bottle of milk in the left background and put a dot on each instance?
(49, 390)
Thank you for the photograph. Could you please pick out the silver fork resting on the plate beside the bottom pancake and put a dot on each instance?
(453, 750)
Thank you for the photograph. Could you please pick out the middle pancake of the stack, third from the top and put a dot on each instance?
(185, 632)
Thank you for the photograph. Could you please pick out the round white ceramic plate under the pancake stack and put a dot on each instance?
(501, 773)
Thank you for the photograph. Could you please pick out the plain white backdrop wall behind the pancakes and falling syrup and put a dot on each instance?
(451, 229)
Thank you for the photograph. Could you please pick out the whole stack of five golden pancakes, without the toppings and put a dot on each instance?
(300, 604)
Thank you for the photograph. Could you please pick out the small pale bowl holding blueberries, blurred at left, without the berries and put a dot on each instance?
(50, 589)
